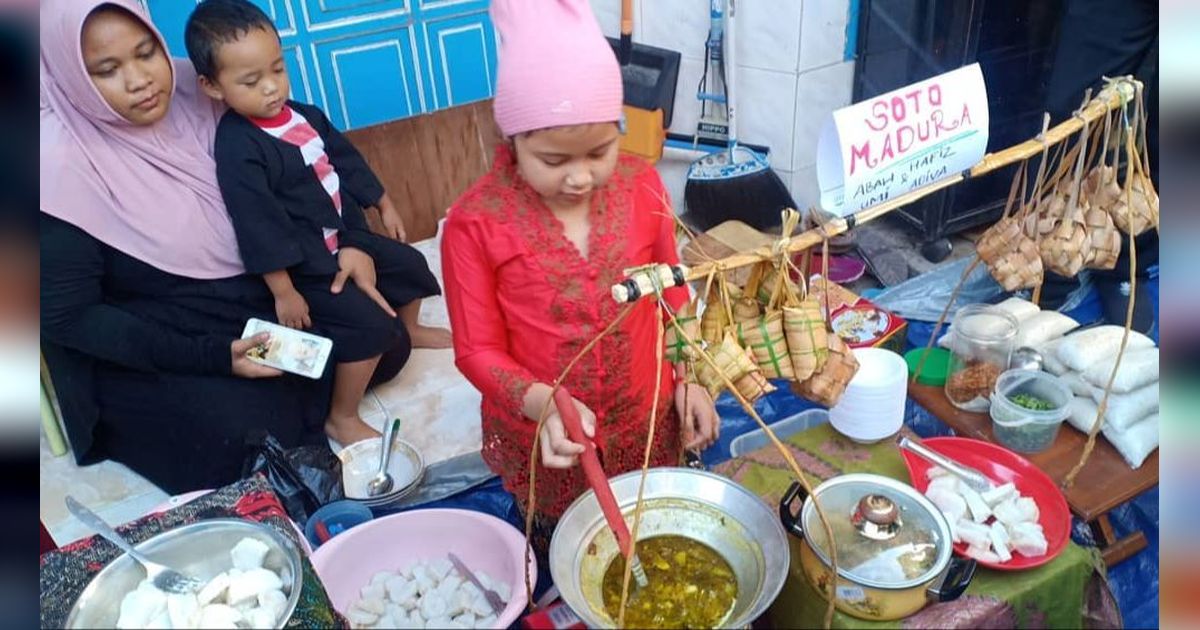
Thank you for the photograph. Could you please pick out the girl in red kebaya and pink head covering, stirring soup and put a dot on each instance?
(530, 254)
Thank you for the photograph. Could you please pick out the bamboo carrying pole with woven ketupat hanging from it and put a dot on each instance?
(1113, 97)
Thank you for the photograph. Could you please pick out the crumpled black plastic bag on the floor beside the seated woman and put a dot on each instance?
(304, 478)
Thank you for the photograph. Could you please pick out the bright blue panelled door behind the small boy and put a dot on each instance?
(370, 62)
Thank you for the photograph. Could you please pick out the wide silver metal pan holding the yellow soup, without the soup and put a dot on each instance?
(685, 502)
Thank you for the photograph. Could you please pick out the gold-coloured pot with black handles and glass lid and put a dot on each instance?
(895, 547)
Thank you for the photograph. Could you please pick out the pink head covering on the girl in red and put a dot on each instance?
(556, 68)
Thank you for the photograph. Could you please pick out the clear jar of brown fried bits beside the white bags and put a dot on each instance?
(980, 353)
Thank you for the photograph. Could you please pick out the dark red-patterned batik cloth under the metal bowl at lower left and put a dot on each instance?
(67, 572)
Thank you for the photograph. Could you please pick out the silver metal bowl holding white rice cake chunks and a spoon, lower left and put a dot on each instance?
(201, 550)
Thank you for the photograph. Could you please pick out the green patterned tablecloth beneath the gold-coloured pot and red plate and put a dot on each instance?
(1069, 592)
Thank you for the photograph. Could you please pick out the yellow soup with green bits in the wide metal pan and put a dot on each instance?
(691, 586)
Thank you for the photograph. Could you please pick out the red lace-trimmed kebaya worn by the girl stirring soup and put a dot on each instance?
(524, 303)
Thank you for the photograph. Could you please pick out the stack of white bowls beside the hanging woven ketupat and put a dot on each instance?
(873, 406)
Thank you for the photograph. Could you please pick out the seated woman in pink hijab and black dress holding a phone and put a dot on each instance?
(143, 291)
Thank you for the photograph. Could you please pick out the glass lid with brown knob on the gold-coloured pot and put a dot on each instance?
(887, 535)
